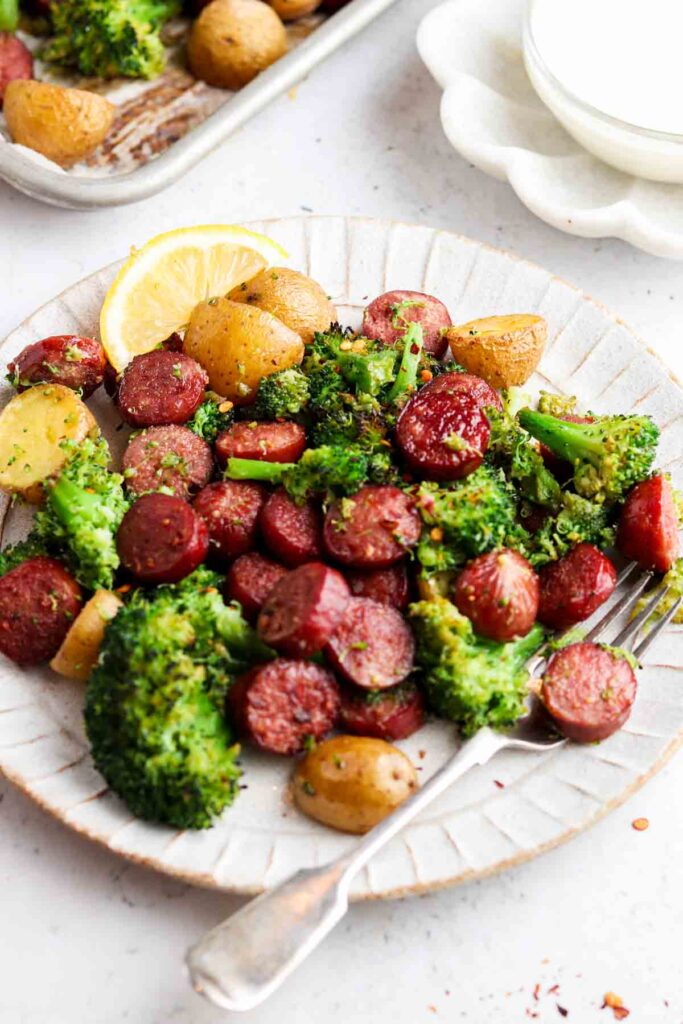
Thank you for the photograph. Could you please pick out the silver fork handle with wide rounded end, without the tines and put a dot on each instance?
(241, 962)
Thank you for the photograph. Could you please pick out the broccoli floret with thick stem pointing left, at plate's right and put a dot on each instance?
(610, 455)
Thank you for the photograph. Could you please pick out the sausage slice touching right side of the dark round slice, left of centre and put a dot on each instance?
(231, 510)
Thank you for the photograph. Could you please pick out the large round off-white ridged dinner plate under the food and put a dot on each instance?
(479, 828)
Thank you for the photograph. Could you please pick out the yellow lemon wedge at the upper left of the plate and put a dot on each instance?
(159, 286)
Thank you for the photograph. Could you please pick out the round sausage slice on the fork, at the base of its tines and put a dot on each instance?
(589, 691)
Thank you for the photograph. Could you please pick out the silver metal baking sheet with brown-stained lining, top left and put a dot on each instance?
(164, 127)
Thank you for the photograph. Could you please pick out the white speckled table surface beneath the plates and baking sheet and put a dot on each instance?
(87, 938)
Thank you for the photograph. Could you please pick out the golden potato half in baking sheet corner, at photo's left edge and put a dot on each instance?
(65, 125)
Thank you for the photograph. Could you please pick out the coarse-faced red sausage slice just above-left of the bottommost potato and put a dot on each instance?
(281, 705)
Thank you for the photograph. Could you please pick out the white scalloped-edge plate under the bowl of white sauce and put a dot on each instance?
(494, 118)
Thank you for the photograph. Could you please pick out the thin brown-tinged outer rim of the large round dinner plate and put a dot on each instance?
(204, 880)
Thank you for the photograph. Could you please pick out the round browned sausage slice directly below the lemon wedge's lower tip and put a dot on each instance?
(161, 388)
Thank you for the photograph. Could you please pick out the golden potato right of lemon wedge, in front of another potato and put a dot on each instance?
(238, 346)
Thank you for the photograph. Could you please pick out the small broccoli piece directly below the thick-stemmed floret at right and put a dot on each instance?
(579, 521)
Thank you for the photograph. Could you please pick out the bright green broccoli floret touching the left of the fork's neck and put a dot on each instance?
(473, 681)
